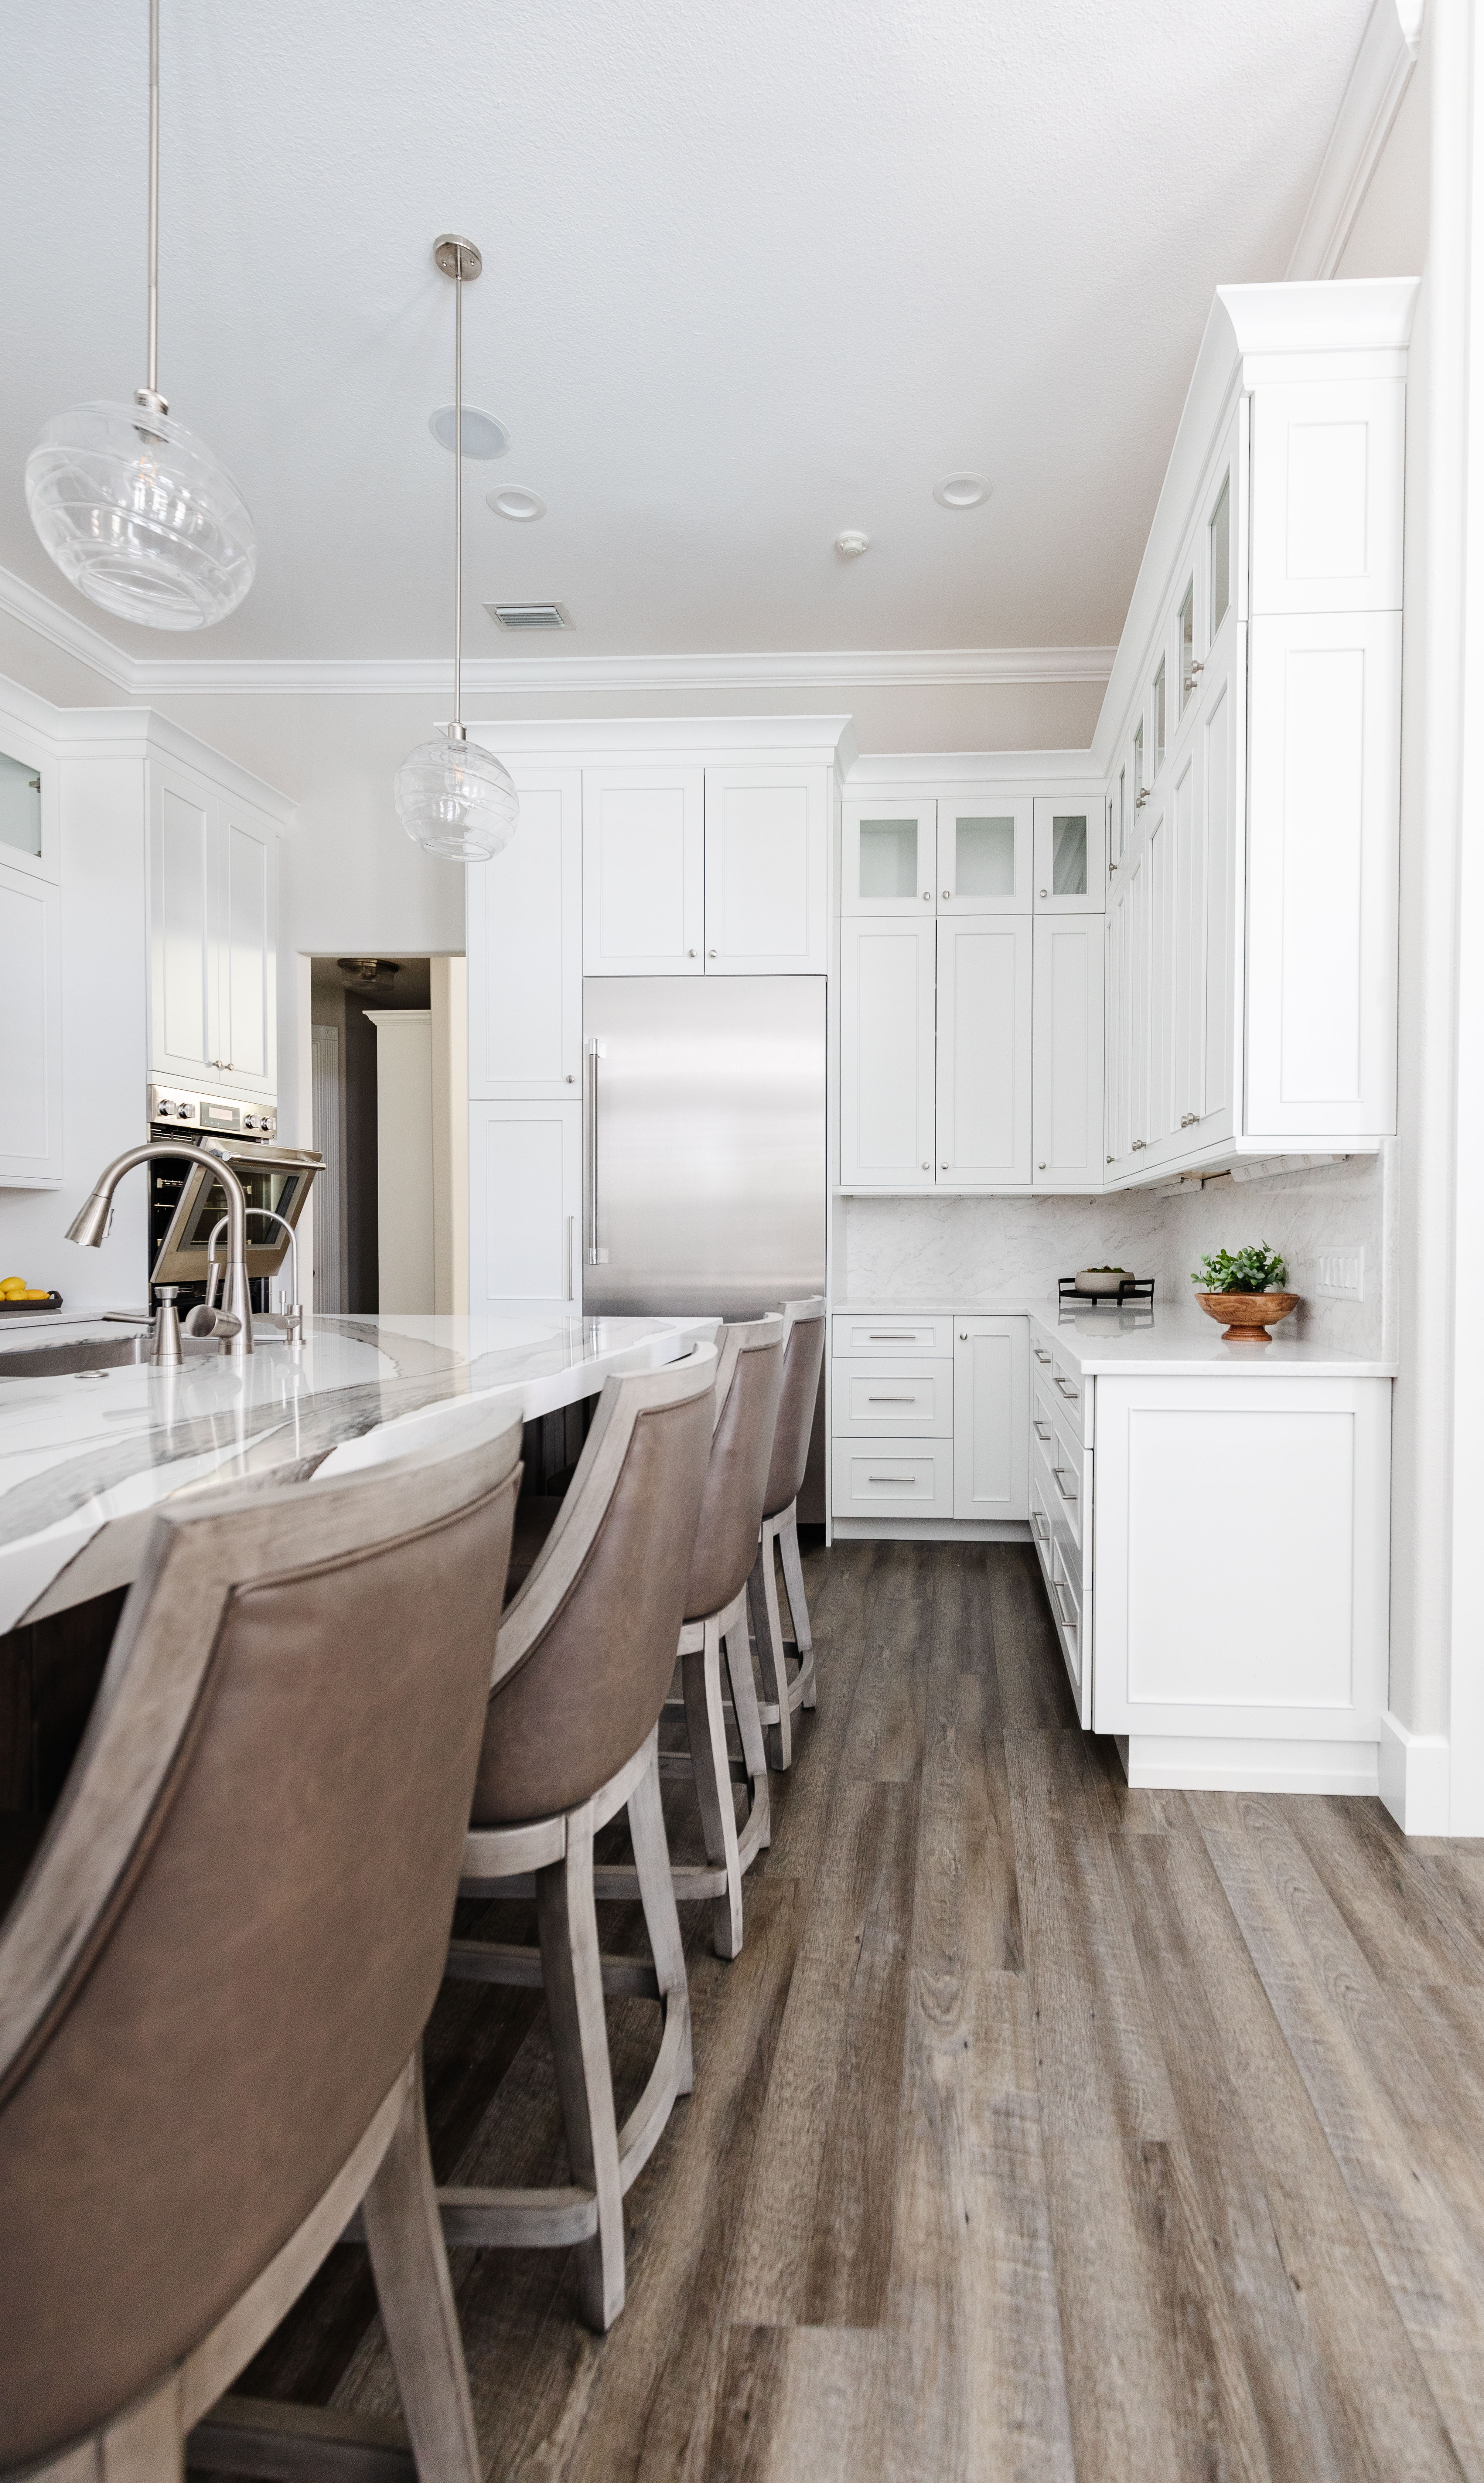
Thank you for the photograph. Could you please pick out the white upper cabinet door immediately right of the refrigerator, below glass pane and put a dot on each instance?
(887, 1054)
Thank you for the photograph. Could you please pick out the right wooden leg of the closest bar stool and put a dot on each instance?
(418, 2303)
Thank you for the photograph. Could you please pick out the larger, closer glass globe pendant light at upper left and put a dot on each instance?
(130, 505)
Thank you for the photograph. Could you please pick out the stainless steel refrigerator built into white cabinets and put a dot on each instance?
(704, 1148)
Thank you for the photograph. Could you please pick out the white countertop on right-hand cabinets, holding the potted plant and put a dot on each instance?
(1150, 1345)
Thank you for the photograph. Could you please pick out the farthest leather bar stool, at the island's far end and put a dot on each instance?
(780, 1526)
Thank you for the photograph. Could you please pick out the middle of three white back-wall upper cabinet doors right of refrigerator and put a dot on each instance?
(984, 1052)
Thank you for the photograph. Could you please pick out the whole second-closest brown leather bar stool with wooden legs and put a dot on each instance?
(584, 1660)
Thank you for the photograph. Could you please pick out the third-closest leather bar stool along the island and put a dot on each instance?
(746, 1404)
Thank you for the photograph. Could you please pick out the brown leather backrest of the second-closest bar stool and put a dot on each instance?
(587, 1647)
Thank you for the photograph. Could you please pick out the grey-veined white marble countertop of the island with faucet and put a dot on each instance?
(88, 1456)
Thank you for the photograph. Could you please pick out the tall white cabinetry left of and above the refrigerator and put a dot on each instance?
(666, 848)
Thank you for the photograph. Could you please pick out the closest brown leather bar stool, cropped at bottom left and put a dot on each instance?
(217, 1975)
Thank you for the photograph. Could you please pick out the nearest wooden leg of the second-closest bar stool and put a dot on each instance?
(572, 1973)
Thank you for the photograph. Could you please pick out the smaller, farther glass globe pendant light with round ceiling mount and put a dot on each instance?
(455, 798)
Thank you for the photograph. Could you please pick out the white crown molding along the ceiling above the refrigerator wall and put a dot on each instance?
(520, 677)
